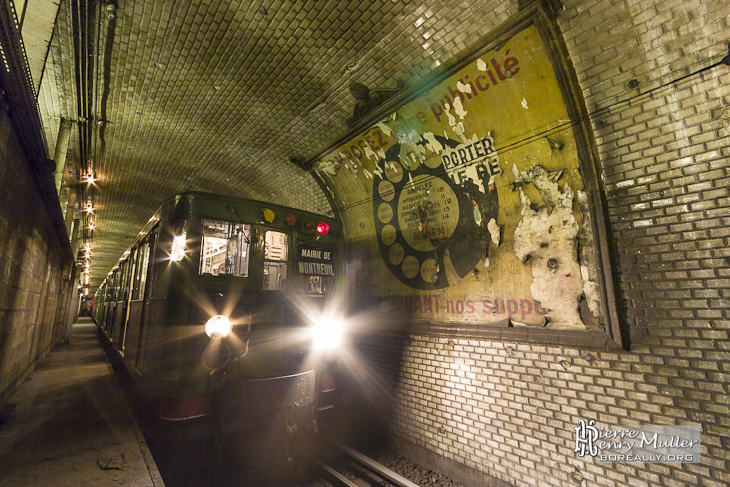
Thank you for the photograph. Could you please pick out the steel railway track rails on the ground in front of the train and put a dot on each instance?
(367, 472)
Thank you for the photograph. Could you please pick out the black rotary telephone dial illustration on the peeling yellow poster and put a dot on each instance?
(420, 213)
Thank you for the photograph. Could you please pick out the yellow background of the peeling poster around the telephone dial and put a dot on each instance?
(509, 94)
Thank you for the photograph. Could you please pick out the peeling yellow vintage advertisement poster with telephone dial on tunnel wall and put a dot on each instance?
(471, 198)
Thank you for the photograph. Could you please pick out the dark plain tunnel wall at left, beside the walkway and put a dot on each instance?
(33, 292)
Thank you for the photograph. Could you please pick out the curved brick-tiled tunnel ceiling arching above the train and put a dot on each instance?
(218, 95)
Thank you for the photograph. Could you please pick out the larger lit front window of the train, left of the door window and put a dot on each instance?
(225, 248)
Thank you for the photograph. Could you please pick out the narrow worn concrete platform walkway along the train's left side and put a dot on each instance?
(70, 424)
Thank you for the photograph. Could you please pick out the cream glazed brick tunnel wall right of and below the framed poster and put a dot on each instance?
(507, 410)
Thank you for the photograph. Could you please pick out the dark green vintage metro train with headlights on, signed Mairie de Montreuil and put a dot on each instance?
(223, 307)
